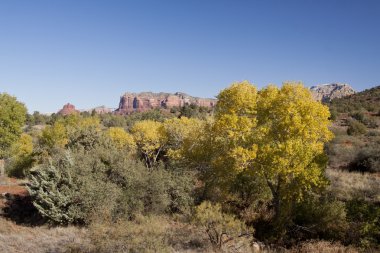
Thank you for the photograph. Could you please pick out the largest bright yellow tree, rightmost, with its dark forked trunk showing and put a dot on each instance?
(291, 132)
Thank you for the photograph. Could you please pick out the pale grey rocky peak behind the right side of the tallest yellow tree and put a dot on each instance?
(327, 92)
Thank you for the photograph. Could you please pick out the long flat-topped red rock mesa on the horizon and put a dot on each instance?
(131, 102)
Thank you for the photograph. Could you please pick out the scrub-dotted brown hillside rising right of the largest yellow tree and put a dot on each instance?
(356, 126)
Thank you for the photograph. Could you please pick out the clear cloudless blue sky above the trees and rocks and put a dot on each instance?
(90, 52)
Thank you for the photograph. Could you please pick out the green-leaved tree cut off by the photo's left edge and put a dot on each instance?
(12, 119)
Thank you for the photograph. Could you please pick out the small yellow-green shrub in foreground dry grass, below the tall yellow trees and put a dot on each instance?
(218, 224)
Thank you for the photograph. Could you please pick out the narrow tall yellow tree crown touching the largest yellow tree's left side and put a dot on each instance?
(235, 121)
